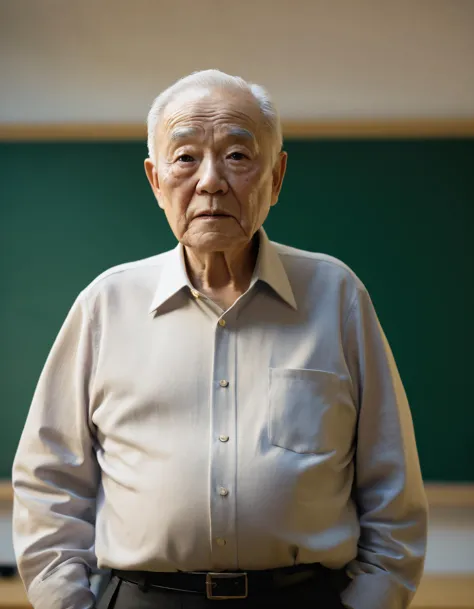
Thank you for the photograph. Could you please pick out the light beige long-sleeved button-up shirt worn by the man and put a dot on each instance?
(167, 434)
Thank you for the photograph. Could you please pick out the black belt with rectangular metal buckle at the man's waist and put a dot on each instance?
(225, 585)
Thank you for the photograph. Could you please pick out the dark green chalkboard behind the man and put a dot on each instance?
(399, 212)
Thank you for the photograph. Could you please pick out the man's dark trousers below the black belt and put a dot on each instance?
(310, 594)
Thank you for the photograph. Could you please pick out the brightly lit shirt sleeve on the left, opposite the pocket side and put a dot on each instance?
(55, 475)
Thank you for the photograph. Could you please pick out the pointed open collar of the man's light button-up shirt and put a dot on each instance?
(269, 269)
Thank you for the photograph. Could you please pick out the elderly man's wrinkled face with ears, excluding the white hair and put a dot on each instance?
(215, 177)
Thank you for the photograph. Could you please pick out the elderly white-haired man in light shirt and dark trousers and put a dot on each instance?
(224, 421)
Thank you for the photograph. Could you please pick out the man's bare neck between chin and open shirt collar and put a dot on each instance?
(222, 276)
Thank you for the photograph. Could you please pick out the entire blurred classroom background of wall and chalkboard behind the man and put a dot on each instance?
(377, 104)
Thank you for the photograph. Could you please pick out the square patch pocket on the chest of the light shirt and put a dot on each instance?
(304, 412)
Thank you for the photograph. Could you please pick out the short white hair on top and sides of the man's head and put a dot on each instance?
(216, 79)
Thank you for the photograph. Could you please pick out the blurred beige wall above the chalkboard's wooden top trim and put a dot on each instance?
(89, 60)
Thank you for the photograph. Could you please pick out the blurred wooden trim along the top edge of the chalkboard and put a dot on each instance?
(324, 129)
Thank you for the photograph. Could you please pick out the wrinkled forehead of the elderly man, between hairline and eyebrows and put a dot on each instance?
(233, 112)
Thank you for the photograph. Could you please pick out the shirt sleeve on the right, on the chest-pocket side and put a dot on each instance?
(388, 488)
